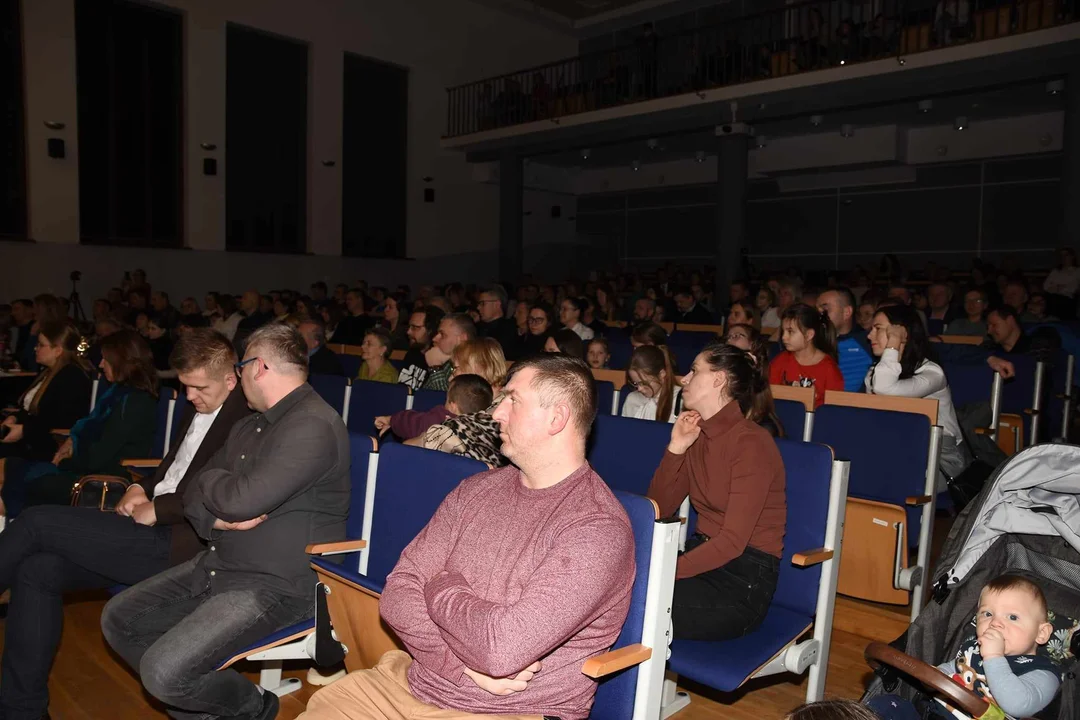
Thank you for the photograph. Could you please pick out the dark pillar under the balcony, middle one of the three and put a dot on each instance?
(733, 145)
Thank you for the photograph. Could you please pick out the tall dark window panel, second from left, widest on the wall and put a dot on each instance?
(130, 92)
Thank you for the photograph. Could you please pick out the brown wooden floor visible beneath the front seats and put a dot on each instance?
(90, 683)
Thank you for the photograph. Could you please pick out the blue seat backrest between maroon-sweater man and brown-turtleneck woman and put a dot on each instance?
(626, 452)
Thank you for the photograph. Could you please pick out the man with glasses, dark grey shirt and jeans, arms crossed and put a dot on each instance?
(280, 483)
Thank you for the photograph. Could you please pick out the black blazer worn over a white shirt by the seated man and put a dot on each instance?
(170, 508)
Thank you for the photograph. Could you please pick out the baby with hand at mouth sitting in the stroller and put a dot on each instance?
(1000, 661)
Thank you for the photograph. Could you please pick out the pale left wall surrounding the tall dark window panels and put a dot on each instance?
(442, 43)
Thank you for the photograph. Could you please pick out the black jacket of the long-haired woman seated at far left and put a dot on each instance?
(63, 402)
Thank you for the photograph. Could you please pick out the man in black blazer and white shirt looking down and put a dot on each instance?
(55, 550)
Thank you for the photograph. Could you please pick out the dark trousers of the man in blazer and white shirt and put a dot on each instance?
(50, 551)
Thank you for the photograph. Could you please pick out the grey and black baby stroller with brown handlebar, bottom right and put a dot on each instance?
(1027, 521)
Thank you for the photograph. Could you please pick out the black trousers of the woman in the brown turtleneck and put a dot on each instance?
(726, 603)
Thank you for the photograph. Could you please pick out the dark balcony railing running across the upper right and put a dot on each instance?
(798, 38)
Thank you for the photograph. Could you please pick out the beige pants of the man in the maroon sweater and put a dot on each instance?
(383, 694)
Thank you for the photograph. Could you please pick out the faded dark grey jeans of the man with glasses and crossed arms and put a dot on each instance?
(175, 639)
